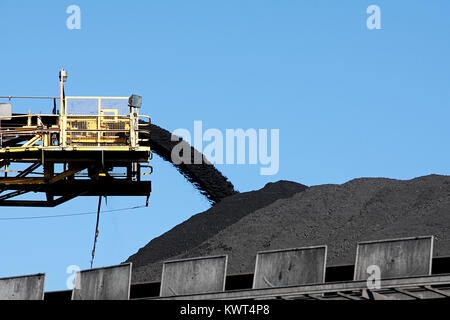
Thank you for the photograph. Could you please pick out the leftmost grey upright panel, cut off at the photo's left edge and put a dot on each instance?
(23, 288)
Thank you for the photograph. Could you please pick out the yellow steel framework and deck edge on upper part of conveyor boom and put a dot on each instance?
(106, 130)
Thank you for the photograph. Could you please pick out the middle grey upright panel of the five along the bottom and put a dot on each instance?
(192, 276)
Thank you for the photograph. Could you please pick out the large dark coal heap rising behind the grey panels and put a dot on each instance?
(336, 215)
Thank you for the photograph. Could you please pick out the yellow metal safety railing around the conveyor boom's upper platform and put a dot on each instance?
(84, 122)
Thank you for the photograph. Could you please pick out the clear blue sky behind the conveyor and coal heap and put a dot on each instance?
(349, 102)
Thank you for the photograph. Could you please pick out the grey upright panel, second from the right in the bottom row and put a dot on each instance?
(282, 268)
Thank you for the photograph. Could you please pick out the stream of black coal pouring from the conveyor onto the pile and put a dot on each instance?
(205, 177)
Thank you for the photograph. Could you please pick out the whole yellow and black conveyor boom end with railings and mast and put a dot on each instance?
(90, 147)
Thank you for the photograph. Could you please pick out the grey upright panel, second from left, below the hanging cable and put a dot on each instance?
(111, 283)
